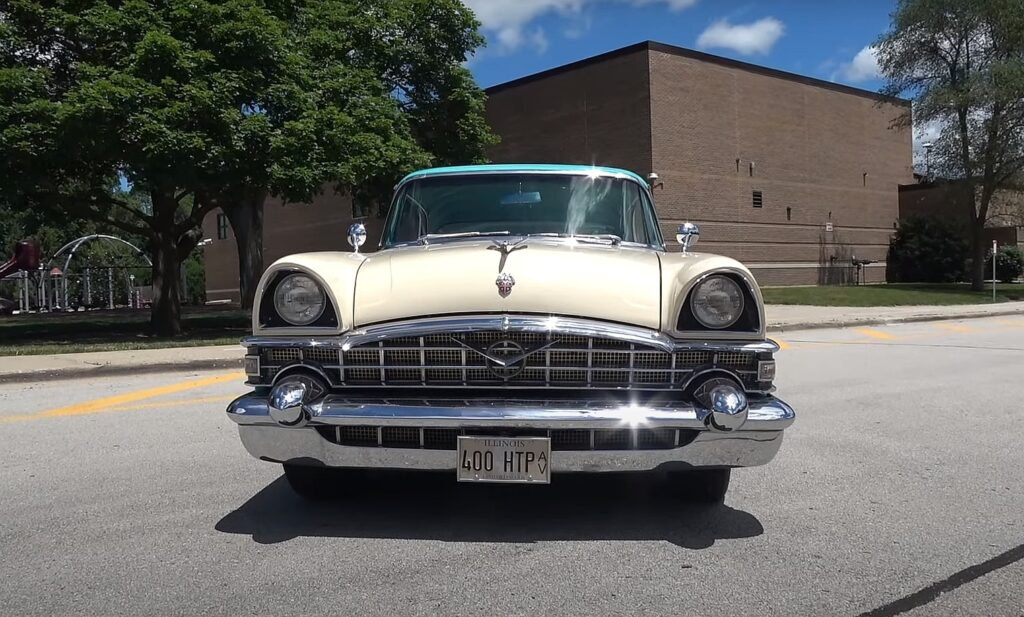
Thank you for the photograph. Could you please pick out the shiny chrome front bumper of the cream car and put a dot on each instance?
(756, 443)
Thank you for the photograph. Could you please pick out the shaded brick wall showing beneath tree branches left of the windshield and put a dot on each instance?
(321, 226)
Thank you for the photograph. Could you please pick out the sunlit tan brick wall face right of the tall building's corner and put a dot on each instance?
(810, 148)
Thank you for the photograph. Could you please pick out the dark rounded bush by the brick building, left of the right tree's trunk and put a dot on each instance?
(927, 250)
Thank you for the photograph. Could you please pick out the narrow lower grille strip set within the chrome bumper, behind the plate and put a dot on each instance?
(562, 439)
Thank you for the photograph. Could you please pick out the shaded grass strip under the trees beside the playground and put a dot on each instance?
(115, 331)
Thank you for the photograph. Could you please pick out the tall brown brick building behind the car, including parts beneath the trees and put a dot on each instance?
(794, 177)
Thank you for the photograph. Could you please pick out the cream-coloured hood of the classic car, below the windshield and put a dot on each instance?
(552, 277)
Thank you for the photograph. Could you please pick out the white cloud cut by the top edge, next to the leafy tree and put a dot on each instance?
(507, 22)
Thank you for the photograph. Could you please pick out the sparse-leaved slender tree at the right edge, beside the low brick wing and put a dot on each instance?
(963, 63)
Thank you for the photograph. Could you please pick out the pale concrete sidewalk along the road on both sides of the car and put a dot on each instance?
(781, 319)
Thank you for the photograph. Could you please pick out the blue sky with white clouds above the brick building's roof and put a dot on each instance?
(826, 39)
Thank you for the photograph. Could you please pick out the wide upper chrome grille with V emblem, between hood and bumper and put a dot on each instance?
(476, 361)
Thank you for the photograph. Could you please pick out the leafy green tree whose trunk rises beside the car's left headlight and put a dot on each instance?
(402, 62)
